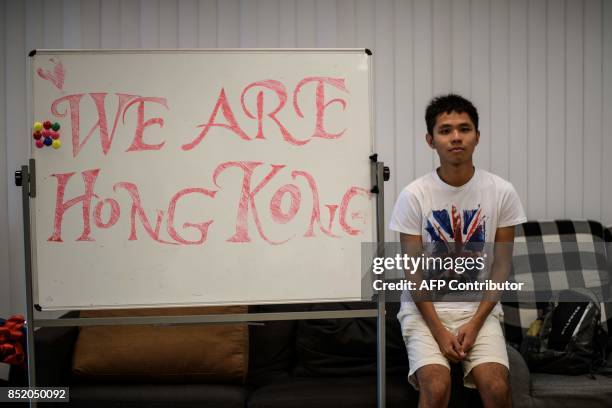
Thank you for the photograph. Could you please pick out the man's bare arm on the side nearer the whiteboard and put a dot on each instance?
(412, 245)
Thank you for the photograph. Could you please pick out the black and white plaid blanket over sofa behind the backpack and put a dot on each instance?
(555, 255)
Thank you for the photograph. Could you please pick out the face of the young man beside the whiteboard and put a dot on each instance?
(454, 137)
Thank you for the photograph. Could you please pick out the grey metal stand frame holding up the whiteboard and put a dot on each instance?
(26, 179)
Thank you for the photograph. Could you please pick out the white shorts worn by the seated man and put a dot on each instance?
(489, 347)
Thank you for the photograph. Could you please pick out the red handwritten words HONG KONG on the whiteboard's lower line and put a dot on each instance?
(246, 207)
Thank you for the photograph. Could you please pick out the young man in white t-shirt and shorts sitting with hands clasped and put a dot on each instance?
(456, 203)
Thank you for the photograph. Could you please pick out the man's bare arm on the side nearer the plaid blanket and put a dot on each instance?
(500, 270)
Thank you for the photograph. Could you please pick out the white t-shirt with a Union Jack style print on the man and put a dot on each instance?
(438, 211)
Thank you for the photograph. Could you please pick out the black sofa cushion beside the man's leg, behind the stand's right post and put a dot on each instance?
(347, 347)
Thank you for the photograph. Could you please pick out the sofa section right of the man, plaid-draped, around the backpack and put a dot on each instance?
(558, 254)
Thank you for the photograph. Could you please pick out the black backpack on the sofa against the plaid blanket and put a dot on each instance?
(571, 339)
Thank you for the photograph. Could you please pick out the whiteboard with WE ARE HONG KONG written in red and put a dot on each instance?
(201, 177)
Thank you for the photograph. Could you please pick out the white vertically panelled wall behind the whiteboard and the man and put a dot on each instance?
(540, 73)
